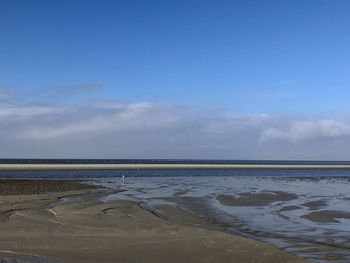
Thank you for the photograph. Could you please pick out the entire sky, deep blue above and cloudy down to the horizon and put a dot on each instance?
(248, 76)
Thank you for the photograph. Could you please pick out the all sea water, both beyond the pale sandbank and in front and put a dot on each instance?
(304, 212)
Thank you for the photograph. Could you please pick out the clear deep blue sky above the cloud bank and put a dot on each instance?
(248, 56)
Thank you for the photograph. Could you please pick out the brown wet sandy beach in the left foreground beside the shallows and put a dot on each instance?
(75, 226)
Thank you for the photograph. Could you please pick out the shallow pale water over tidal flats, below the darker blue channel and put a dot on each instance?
(325, 238)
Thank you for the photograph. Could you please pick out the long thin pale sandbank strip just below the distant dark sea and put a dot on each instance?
(51, 167)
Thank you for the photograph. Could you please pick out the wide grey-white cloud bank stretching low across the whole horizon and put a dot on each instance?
(116, 129)
